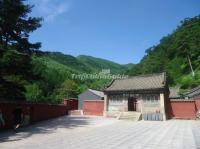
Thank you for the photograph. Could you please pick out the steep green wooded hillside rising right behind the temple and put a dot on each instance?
(173, 54)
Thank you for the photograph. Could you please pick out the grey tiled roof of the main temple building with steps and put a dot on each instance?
(143, 82)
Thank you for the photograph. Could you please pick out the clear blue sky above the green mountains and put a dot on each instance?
(117, 30)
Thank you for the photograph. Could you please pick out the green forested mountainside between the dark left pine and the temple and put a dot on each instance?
(56, 70)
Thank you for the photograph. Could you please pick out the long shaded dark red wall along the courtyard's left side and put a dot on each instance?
(37, 112)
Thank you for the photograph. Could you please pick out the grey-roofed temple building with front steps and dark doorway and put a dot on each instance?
(145, 96)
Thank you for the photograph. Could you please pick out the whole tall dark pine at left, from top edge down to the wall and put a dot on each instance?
(15, 48)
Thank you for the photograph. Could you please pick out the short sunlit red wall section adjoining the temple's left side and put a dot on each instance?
(93, 107)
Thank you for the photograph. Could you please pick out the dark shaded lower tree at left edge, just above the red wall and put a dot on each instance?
(15, 72)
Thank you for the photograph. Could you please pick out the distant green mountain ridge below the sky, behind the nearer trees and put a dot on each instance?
(82, 63)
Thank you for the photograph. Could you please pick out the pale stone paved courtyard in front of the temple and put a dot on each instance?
(101, 133)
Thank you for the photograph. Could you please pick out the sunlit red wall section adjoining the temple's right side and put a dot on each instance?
(182, 109)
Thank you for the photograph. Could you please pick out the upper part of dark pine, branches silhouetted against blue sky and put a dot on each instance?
(16, 25)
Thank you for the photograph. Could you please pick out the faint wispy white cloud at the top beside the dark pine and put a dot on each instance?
(51, 9)
